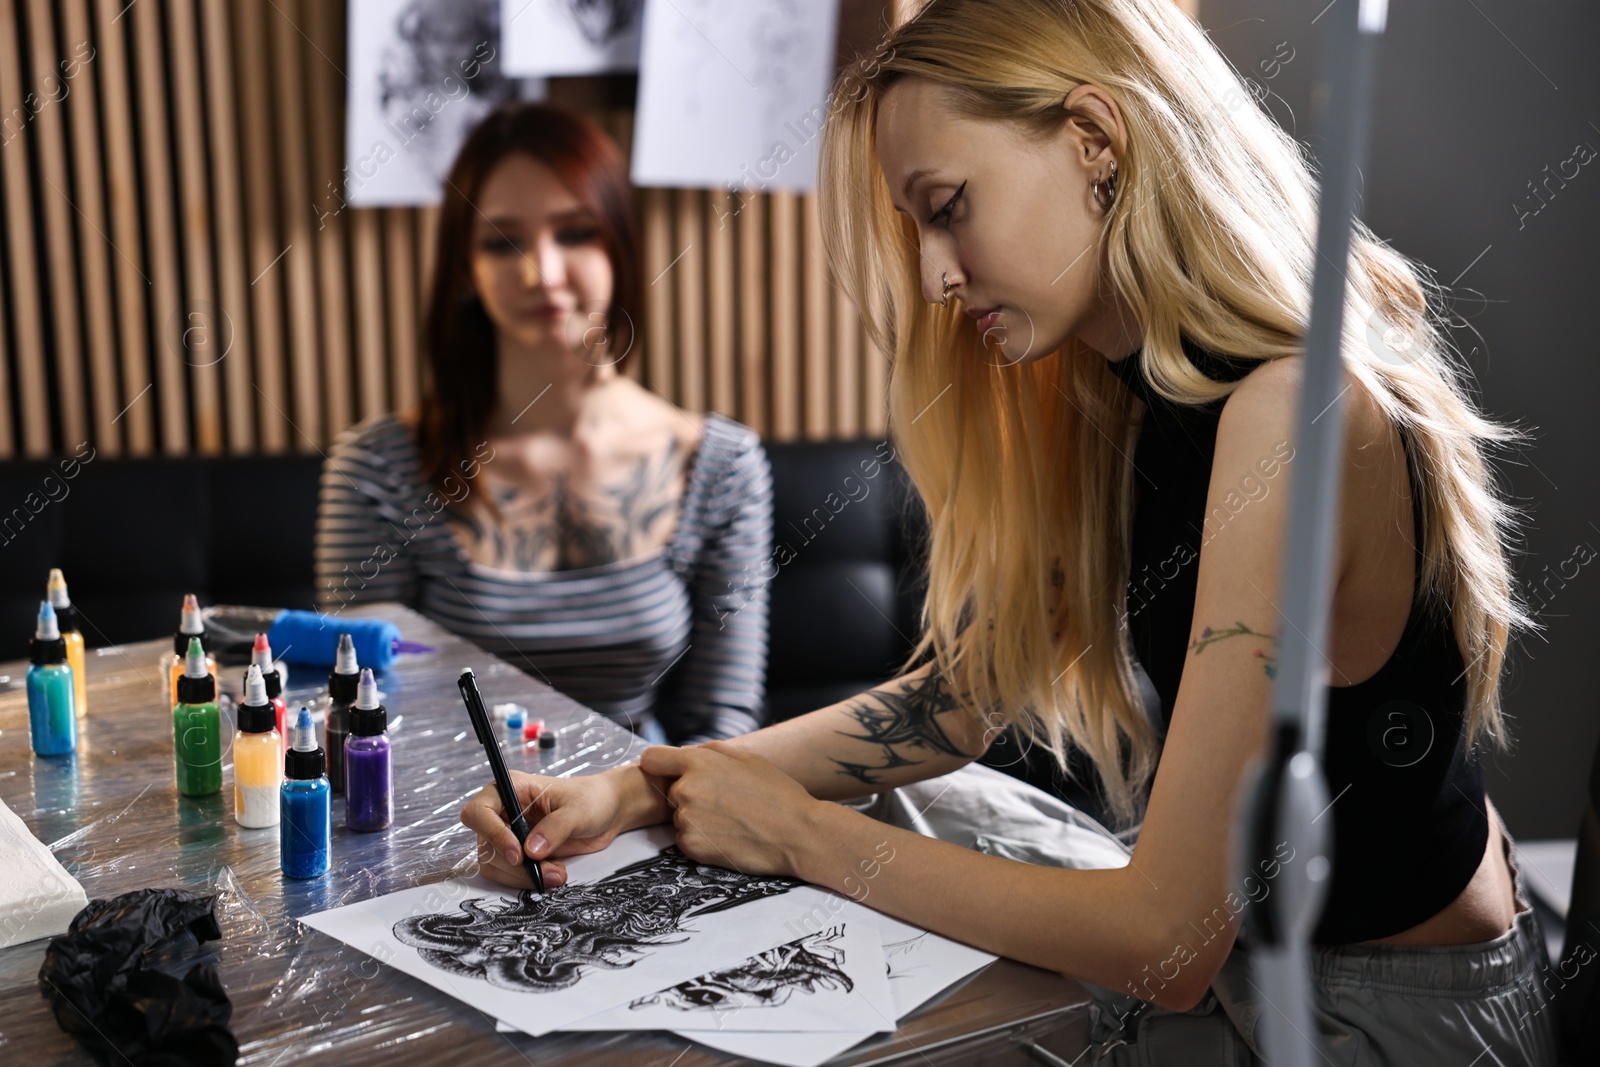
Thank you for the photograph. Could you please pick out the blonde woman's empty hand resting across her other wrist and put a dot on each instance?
(734, 809)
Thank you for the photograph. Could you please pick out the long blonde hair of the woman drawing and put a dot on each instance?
(1023, 470)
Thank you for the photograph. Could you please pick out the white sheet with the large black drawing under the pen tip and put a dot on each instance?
(633, 921)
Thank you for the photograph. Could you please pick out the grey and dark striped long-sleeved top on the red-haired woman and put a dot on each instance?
(679, 634)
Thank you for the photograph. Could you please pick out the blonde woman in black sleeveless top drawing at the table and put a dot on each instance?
(1095, 281)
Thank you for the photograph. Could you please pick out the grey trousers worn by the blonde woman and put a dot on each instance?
(1478, 1005)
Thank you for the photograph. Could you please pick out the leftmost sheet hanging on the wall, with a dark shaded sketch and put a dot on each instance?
(422, 73)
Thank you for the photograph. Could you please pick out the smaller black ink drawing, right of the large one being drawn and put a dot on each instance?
(767, 980)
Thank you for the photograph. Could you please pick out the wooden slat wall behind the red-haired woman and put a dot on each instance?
(180, 274)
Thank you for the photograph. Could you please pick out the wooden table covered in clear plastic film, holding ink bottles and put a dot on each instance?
(114, 818)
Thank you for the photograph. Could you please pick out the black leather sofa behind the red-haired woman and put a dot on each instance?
(135, 535)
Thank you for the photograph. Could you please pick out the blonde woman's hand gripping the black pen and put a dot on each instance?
(567, 817)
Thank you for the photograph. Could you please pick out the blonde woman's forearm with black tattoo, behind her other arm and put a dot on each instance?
(902, 732)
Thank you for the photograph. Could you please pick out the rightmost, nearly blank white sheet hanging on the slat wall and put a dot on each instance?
(734, 94)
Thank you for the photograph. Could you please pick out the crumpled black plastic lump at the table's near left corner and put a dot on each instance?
(103, 981)
